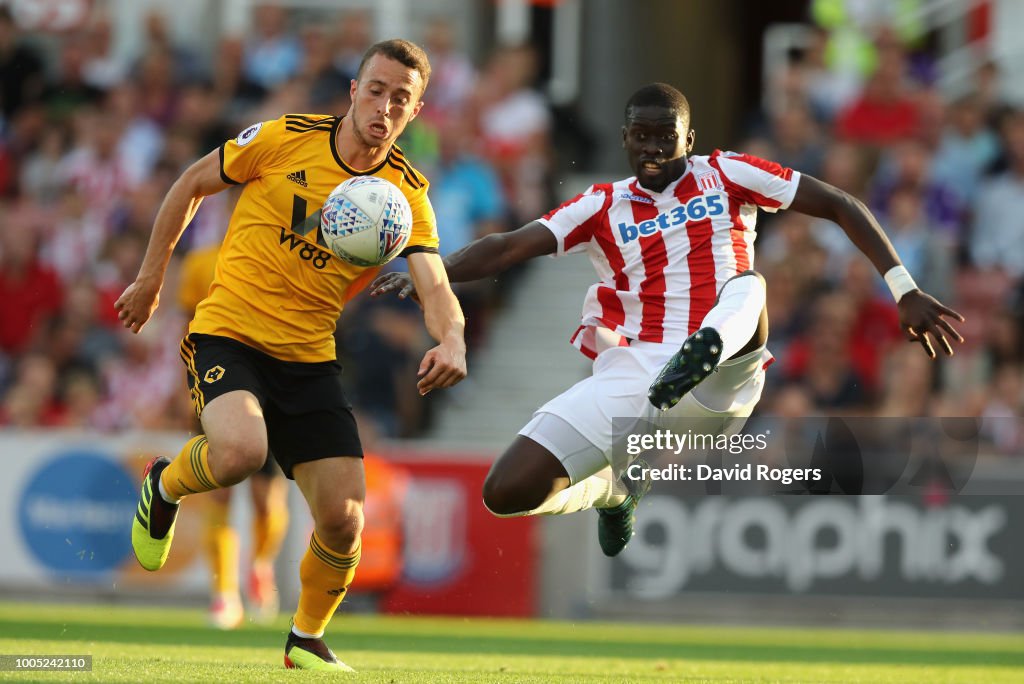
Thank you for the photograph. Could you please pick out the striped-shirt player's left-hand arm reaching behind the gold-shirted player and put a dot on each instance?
(482, 259)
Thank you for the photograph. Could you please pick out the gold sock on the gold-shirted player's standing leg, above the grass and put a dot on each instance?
(326, 576)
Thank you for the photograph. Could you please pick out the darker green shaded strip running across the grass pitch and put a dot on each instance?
(398, 640)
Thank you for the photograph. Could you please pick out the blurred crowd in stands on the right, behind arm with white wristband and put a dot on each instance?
(946, 179)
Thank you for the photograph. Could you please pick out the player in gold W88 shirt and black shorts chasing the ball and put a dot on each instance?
(261, 354)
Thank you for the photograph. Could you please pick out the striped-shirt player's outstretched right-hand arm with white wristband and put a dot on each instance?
(922, 317)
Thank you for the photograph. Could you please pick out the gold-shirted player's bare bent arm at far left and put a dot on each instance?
(141, 298)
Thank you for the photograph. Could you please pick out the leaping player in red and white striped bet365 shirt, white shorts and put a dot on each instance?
(677, 322)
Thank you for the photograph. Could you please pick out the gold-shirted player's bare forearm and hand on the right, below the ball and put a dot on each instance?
(445, 365)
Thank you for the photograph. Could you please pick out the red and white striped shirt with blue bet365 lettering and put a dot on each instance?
(663, 258)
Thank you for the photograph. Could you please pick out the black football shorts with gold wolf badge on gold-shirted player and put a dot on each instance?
(307, 413)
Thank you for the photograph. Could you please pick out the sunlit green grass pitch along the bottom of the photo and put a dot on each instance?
(175, 646)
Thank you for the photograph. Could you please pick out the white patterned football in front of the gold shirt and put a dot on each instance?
(367, 222)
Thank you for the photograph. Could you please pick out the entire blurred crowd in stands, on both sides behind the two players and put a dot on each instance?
(90, 145)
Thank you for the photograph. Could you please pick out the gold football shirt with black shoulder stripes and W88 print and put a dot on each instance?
(277, 287)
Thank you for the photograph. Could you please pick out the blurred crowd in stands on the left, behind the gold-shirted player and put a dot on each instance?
(90, 147)
